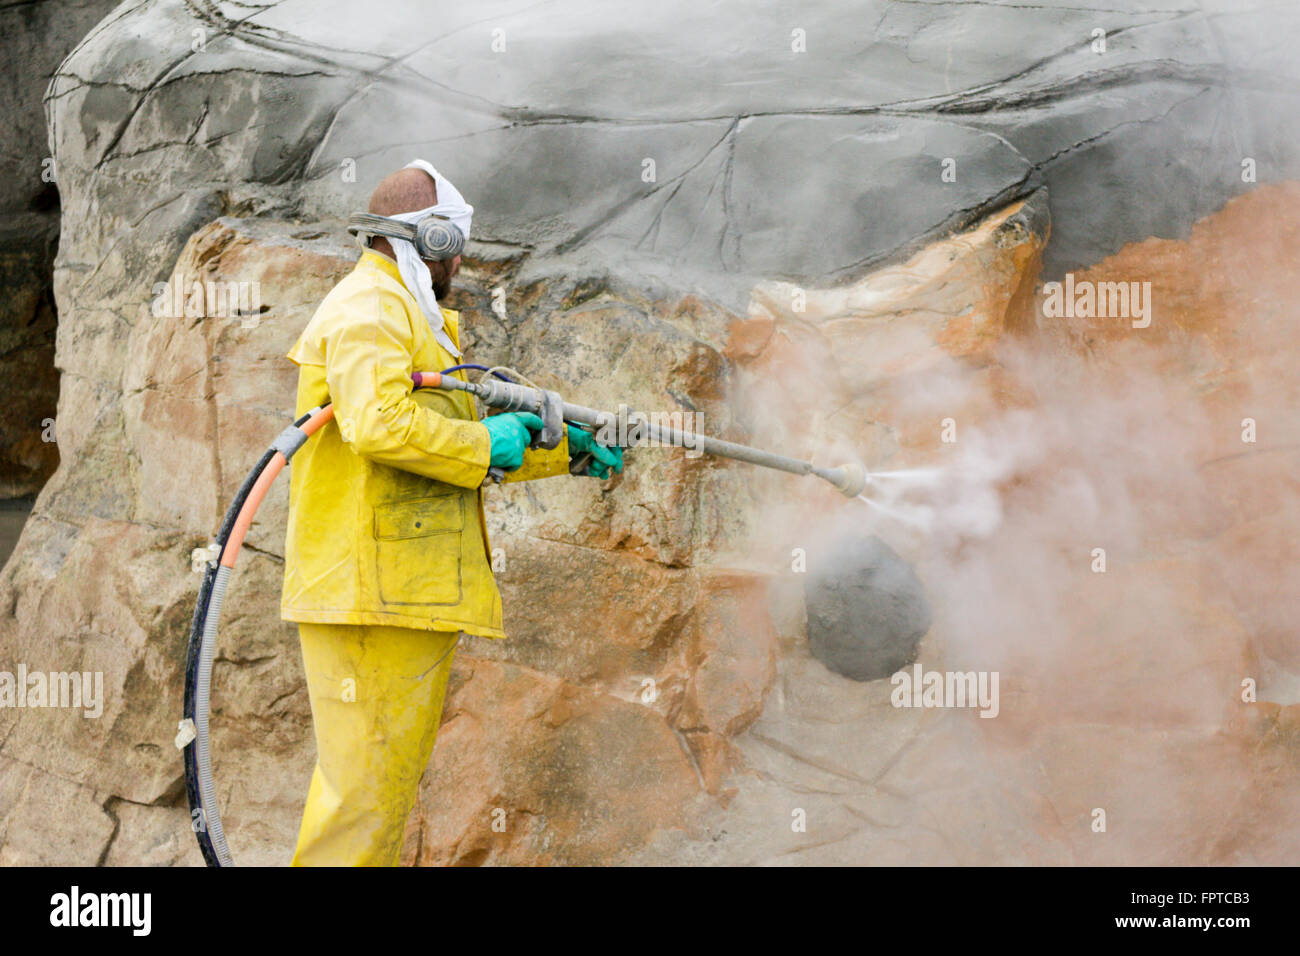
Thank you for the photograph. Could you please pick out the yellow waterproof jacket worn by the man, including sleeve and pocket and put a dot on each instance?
(385, 516)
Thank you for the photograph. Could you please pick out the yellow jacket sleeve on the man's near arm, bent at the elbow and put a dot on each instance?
(369, 365)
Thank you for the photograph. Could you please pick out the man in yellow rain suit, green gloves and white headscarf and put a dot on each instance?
(387, 556)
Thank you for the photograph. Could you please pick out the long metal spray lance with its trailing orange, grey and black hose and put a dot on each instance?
(500, 393)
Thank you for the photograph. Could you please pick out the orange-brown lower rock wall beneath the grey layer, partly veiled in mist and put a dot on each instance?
(658, 702)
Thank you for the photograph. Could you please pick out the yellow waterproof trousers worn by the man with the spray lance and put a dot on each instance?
(376, 703)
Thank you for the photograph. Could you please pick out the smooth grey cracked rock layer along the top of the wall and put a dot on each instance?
(808, 166)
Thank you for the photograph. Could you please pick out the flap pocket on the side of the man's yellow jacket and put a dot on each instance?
(418, 550)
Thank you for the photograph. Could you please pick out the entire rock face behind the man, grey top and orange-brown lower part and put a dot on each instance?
(686, 214)
